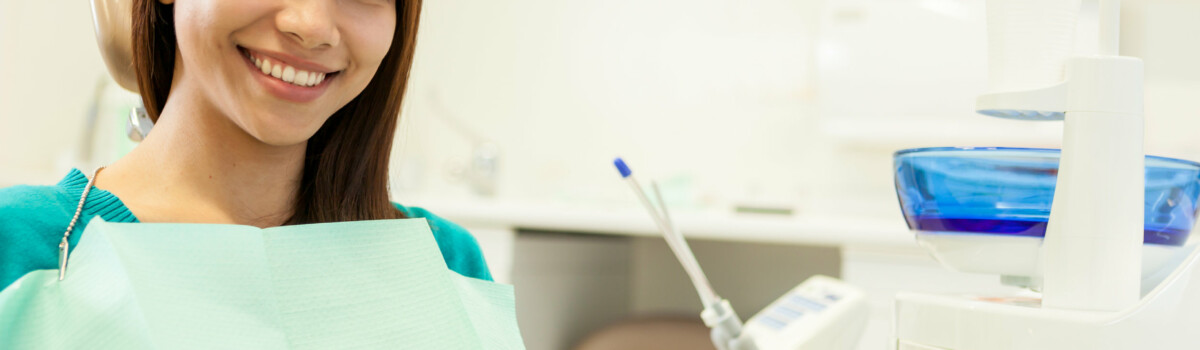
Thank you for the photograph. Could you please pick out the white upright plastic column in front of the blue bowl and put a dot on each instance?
(1093, 255)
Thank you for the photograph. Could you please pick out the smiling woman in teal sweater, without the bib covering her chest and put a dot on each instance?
(266, 114)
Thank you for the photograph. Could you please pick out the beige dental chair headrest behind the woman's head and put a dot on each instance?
(115, 37)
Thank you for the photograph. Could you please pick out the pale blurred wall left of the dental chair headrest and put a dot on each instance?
(49, 71)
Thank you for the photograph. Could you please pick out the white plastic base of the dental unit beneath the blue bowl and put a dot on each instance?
(1162, 321)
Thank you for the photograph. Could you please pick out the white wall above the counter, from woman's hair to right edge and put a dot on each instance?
(801, 101)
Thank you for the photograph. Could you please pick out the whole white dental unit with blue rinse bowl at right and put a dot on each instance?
(1114, 269)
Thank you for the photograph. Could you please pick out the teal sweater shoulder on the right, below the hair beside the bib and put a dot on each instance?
(459, 248)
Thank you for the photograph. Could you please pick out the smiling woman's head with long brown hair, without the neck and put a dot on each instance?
(349, 119)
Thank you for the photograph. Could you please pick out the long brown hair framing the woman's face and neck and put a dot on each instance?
(346, 164)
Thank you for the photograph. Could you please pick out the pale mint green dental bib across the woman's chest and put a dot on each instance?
(377, 285)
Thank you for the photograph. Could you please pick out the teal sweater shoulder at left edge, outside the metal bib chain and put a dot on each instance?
(32, 220)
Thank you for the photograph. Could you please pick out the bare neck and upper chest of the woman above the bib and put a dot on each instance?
(200, 167)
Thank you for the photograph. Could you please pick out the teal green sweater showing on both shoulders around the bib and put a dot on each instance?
(33, 220)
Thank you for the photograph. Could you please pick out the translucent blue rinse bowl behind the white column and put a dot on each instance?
(1009, 192)
